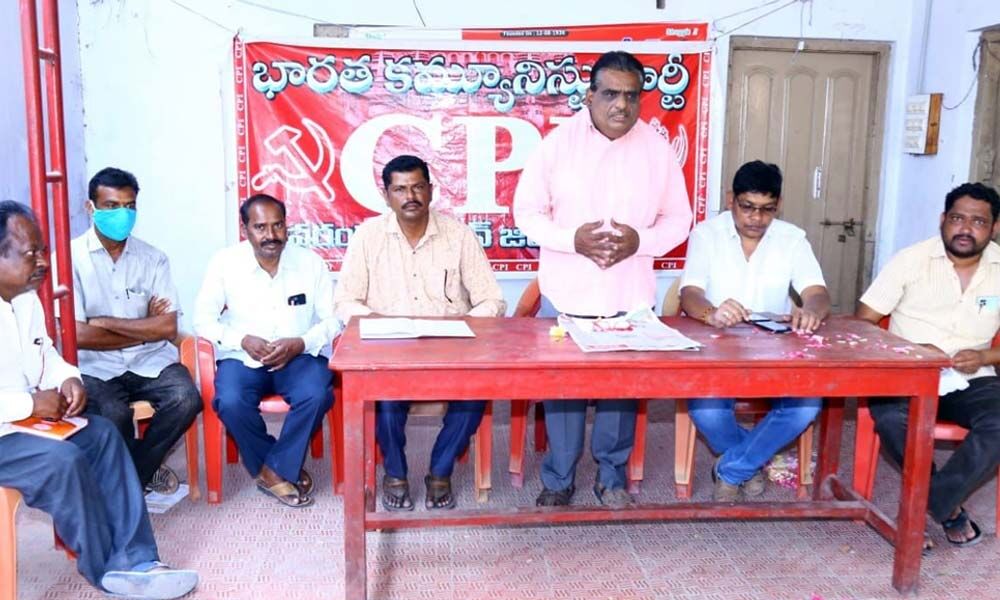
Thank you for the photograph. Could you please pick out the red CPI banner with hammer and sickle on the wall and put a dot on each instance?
(316, 124)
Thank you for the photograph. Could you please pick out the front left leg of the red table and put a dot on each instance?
(355, 570)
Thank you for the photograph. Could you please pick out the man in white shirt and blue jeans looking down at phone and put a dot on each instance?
(742, 261)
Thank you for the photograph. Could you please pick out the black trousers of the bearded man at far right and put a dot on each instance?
(977, 408)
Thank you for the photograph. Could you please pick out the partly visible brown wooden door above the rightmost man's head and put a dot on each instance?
(984, 121)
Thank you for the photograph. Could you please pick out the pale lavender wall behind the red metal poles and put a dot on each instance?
(14, 149)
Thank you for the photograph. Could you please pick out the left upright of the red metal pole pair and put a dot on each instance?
(36, 140)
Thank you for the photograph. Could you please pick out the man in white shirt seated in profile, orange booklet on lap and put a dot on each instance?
(87, 483)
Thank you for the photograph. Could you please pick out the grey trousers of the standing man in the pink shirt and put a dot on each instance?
(611, 438)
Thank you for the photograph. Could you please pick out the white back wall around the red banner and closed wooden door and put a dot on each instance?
(156, 77)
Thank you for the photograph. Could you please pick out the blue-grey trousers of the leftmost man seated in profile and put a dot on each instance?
(89, 486)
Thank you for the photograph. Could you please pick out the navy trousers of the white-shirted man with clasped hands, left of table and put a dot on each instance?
(305, 383)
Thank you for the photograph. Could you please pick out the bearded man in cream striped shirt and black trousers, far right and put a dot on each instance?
(944, 293)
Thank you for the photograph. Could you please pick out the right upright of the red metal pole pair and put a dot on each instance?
(59, 179)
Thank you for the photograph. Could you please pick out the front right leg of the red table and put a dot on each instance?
(917, 459)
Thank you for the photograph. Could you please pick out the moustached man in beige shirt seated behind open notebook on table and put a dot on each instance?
(413, 261)
